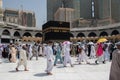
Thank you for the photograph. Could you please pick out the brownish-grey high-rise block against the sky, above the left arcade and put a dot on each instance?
(24, 18)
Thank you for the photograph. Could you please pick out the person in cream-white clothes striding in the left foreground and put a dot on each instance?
(23, 58)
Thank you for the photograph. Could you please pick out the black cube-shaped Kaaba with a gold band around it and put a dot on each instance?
(56, 30)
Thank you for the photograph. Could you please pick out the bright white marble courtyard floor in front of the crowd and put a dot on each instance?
(37, 68)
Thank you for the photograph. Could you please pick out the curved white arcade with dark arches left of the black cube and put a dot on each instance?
(11, 32)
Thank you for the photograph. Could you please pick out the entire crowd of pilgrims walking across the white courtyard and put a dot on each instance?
(62, 51)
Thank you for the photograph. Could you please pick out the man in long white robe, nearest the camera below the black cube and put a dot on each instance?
(50, 58)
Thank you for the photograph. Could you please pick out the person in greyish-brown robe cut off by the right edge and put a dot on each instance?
(115, 66)
